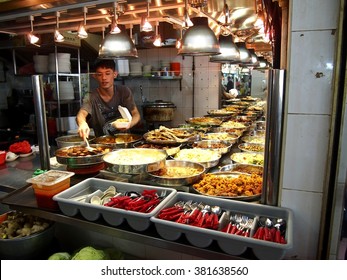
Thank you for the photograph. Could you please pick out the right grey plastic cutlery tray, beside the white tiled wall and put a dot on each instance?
(229, 243)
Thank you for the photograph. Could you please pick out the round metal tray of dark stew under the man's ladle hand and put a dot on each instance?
(75, 161)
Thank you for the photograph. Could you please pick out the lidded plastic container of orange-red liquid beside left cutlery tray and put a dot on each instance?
(49, 184)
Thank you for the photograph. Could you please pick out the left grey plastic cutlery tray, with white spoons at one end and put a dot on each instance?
(113, 216)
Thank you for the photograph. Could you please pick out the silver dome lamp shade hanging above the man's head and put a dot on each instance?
(117, 46)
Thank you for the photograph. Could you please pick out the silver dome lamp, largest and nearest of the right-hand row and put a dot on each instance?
(199, 40)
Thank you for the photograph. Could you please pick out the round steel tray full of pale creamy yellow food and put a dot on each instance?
(135, 160)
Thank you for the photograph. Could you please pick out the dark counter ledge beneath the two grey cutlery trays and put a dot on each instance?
(23, 199)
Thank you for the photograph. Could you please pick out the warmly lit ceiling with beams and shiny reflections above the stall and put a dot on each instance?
(241, 16)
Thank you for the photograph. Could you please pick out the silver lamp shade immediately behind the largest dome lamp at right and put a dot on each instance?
(229, 51)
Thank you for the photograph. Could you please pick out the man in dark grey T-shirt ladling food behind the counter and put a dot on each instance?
(100, 107)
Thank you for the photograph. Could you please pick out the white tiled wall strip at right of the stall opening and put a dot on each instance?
(310, 68)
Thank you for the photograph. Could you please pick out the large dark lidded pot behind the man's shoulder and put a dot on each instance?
(158, 111)
